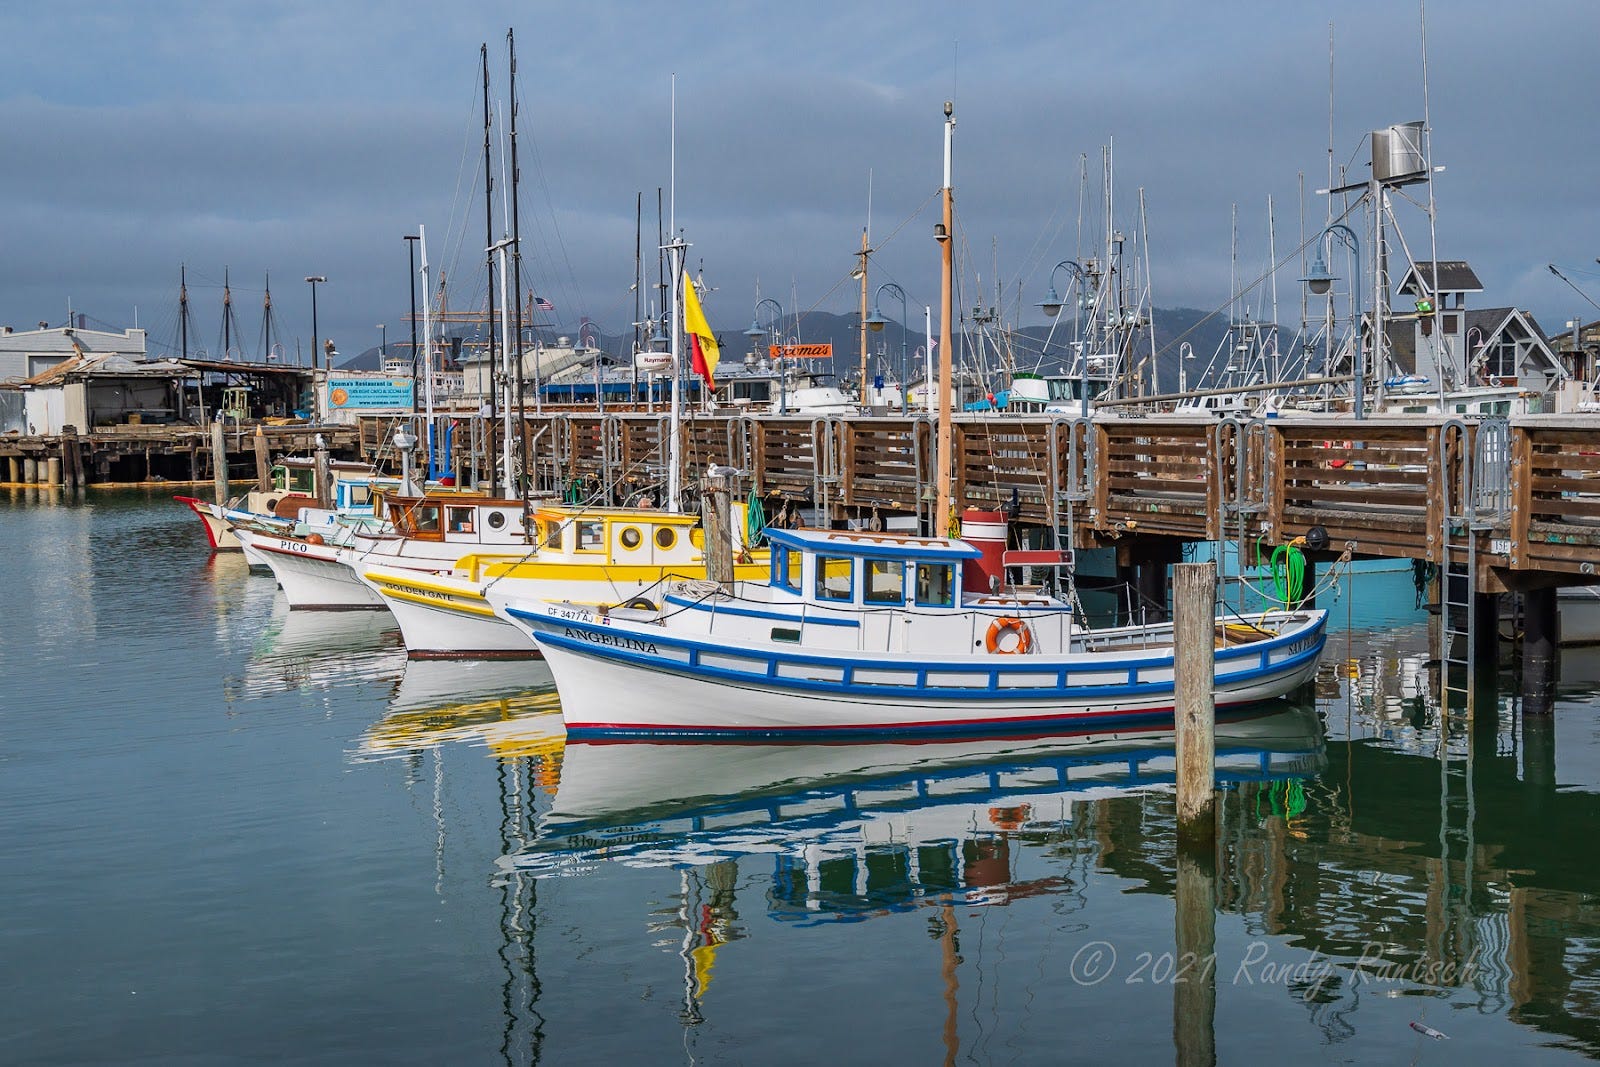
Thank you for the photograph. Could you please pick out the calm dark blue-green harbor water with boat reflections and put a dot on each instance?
(239, 833)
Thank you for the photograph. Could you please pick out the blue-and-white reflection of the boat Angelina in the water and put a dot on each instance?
(862, 826)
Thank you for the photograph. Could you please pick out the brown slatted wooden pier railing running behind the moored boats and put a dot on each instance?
(1521, 498)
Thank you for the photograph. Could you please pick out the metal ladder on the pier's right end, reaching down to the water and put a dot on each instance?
(1474, 500)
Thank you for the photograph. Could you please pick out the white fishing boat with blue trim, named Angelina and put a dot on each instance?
(870, 634)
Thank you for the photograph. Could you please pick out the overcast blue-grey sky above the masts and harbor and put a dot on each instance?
(310, 138)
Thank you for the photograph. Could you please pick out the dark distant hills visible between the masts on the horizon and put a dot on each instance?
(1172, 326)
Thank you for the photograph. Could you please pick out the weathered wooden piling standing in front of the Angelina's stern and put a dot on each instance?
(1194, 679)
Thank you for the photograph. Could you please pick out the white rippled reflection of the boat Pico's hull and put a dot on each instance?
(322, 650)
